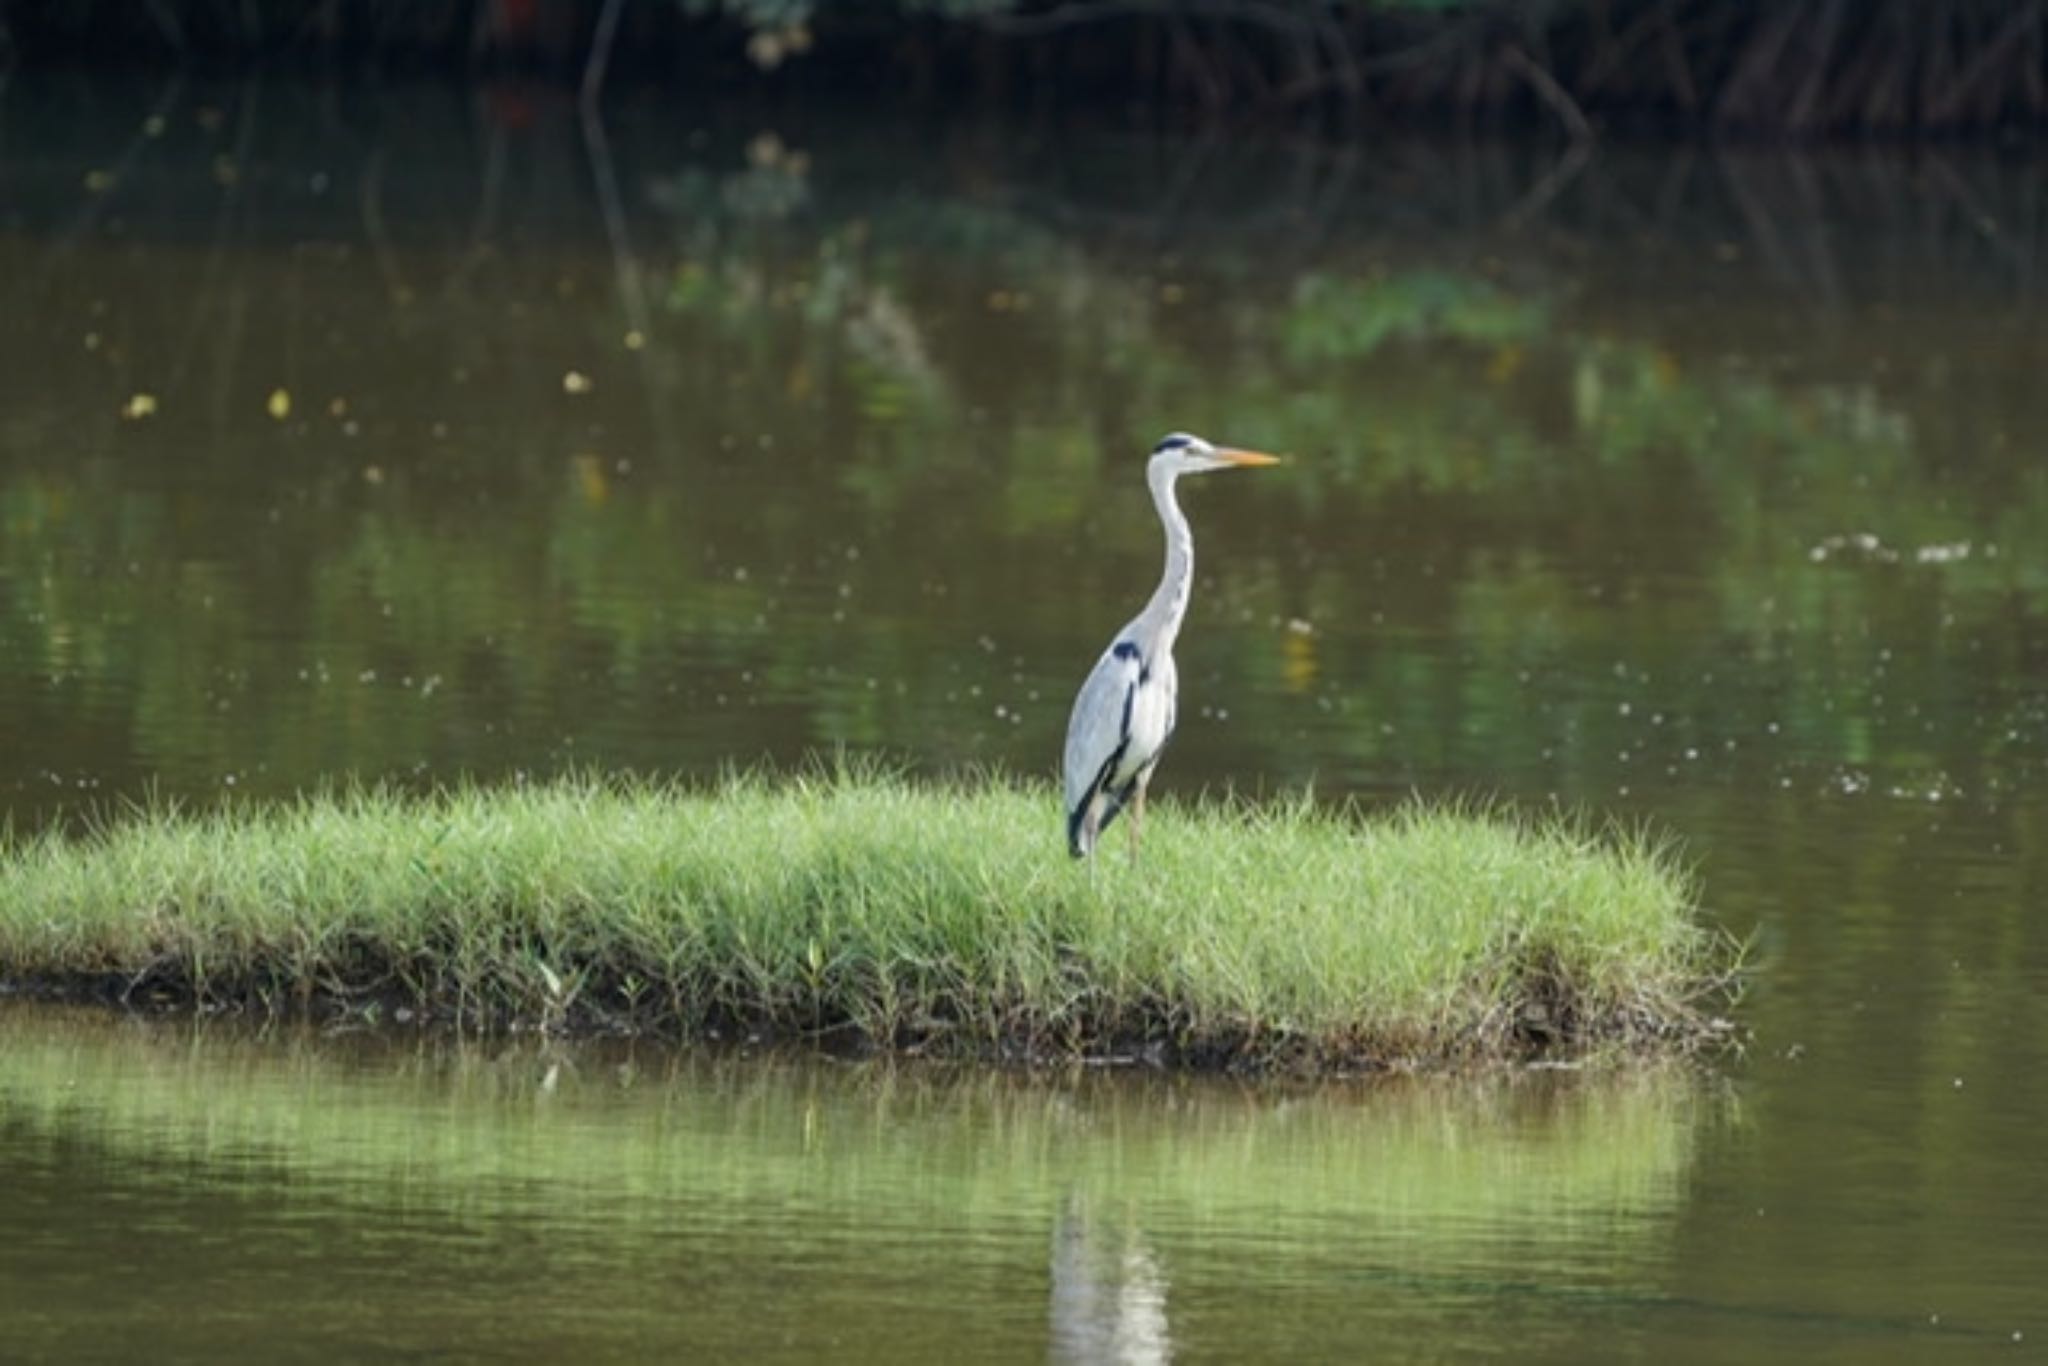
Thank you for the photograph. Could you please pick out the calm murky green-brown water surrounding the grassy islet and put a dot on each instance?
(431, 435)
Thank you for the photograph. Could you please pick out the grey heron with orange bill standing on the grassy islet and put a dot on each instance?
(1127, 708)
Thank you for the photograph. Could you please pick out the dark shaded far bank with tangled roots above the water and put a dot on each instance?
(1789, 69)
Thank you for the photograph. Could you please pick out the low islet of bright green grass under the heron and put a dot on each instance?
(863, 910)
